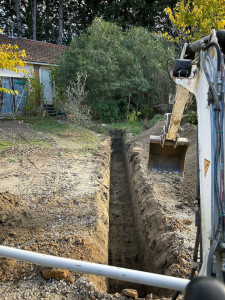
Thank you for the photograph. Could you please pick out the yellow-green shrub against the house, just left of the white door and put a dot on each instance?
(34, 98)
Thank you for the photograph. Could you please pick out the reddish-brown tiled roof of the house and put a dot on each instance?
(36, 51)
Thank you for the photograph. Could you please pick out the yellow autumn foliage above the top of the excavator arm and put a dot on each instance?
(193, 19)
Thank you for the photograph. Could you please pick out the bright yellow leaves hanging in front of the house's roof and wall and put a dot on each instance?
(11, 58)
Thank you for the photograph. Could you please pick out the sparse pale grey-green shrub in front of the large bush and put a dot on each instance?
(75, 108)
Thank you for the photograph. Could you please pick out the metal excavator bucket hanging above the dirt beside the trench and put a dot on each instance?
(170, 158)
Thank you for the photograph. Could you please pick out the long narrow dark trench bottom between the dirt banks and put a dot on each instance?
(123, 236)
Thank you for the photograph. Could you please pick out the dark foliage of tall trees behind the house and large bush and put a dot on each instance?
(78, 15)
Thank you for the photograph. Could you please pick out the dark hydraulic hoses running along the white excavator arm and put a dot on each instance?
(217, 153)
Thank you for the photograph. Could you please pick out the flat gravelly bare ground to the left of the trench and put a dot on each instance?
(54, 196)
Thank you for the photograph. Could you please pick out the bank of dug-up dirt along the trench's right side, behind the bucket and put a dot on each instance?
(164, 206)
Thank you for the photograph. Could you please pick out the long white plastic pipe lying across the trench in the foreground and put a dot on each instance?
(161, 281)
